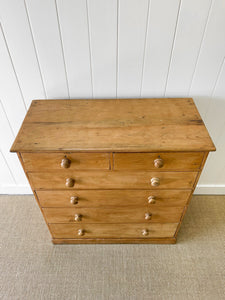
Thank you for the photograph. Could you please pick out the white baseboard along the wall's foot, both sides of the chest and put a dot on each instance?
(203, 189)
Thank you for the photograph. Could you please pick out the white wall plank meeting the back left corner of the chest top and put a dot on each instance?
(19, 39)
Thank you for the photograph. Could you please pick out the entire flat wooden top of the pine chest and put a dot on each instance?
(126, 125)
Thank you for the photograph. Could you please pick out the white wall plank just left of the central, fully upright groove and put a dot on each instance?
(102, 16)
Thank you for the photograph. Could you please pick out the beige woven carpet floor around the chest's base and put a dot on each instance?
(32, 268)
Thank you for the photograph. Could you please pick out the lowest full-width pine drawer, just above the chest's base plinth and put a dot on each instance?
(113, 230)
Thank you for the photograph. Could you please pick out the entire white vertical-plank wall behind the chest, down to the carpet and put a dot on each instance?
(111, 49)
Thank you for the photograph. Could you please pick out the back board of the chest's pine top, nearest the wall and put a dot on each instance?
(122, 112)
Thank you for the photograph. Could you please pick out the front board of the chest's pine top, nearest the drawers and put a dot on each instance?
(116, 139)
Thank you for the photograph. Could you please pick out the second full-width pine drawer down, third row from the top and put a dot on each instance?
(98, 198)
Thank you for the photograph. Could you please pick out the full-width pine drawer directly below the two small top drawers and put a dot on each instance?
(112, 179)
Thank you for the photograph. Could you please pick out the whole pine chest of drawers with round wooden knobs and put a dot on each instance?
(113, 171)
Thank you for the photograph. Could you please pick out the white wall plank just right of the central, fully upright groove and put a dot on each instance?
(133, 15)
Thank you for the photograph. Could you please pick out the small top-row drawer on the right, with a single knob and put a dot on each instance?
(158, 161)
